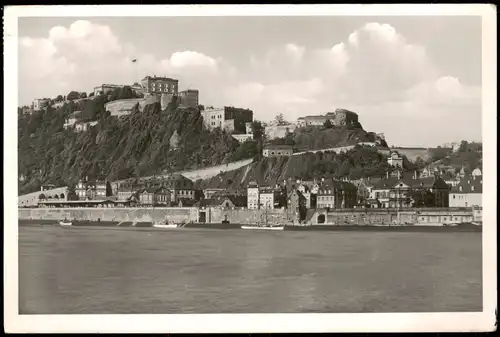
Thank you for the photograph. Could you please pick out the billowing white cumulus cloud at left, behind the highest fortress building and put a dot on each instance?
(86, 54)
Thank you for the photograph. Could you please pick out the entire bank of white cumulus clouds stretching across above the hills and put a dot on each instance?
(391, 82)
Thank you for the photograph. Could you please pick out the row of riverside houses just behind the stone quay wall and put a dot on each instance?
(299, 196)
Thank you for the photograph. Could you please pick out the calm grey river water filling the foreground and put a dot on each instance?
(92, 271)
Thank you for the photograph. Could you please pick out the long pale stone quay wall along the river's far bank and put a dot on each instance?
(245, 216)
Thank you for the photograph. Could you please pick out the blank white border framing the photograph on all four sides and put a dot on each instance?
(391, 322)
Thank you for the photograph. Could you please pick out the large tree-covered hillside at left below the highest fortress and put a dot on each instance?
(116, 148)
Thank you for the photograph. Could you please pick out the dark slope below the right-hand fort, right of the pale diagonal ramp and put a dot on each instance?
(356, 163)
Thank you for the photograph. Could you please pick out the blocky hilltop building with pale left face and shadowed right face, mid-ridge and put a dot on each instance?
(230, 119)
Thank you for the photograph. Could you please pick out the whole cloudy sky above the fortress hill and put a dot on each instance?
(417, 79)
